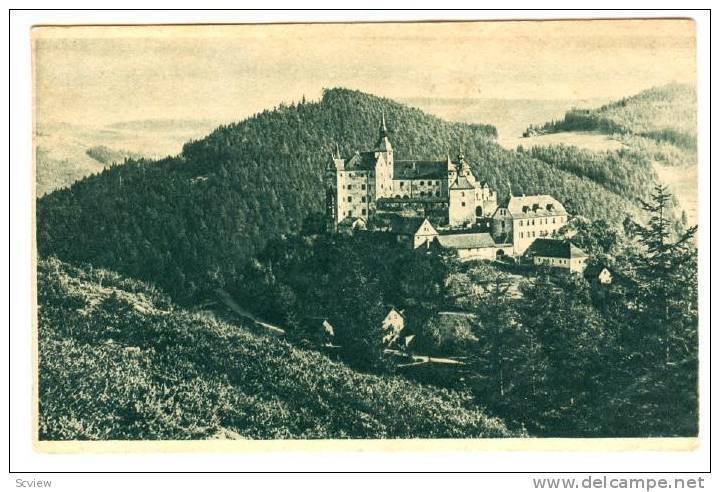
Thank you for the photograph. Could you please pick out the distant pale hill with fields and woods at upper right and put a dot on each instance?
(657, 127)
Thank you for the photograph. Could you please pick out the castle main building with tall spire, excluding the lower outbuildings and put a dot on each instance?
(356, 187)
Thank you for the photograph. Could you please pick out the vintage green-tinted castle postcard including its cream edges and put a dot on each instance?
(421, 235)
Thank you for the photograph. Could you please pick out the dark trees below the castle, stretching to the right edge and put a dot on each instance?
(566, 357)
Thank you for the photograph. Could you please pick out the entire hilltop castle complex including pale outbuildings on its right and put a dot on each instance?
(432, 204)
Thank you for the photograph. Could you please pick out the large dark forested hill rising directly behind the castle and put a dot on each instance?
(186, 223)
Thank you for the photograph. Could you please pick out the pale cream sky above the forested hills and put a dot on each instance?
(103, 75)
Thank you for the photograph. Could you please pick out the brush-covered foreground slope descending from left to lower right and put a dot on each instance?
(118, 360)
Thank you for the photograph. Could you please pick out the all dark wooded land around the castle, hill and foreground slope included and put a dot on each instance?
(126, 255)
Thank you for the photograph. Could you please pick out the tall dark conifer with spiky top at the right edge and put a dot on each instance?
(660, 350)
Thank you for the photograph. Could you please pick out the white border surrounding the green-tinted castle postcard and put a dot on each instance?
(24, 458)
